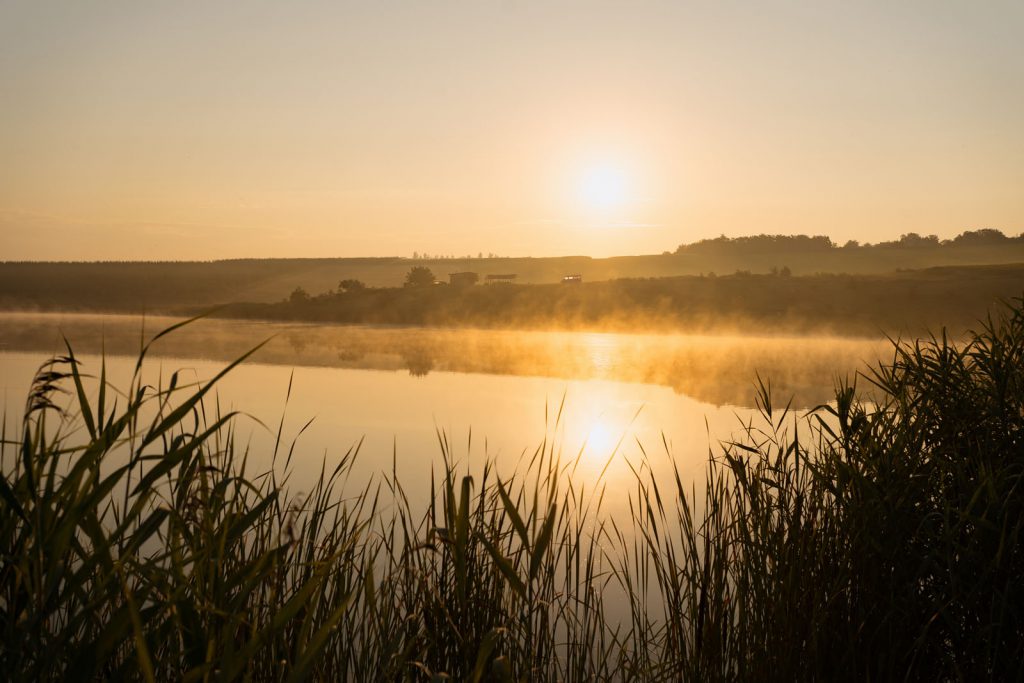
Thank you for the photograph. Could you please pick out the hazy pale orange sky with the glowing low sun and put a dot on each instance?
(170, 131)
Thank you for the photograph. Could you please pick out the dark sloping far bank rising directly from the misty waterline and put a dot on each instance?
(909, 303)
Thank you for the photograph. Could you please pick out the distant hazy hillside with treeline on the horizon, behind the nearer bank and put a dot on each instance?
(169, 286)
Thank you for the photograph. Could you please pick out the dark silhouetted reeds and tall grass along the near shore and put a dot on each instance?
(872, 540)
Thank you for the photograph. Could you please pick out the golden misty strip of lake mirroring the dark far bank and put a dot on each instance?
(718, 370)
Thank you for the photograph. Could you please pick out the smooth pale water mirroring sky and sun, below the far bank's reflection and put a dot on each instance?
(594, 428)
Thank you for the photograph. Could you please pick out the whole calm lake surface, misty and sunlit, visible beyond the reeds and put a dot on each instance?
(492, 394)
